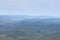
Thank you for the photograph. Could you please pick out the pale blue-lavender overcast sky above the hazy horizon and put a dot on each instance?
(30, 7)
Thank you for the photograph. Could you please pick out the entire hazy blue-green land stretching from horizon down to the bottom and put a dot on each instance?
(23, 27)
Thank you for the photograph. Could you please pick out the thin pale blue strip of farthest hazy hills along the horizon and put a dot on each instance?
(23, 17)
